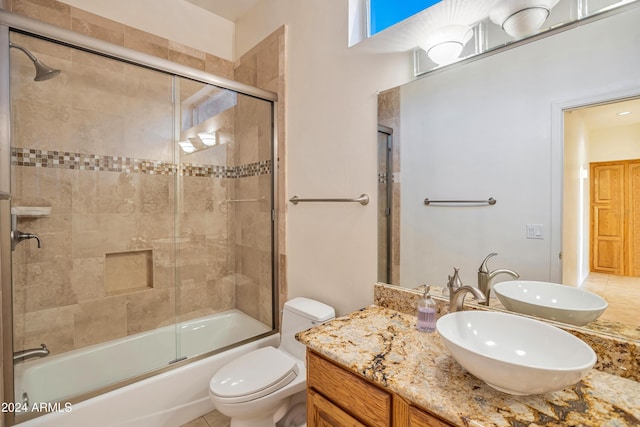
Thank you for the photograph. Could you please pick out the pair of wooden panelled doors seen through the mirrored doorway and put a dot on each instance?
(615, 217)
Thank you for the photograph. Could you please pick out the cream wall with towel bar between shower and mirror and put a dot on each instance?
(331, 146)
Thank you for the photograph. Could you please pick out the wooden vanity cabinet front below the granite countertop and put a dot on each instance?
(339, 398)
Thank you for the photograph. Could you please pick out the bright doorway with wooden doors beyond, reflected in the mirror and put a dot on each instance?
(599, 237)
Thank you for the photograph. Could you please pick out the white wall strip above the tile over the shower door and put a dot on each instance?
(176, 20)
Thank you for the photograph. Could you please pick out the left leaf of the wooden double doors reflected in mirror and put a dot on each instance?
(607, 218)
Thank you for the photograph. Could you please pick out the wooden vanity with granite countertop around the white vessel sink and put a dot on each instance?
(374, 368)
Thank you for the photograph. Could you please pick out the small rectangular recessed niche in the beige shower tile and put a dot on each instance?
(129, 271)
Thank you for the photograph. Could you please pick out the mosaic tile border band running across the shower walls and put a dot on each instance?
(92, 162)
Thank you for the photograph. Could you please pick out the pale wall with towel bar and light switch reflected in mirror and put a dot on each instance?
(485, 129)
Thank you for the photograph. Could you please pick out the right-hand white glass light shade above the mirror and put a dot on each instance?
(519, 18)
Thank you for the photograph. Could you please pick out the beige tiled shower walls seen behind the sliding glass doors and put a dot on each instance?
(102, 154)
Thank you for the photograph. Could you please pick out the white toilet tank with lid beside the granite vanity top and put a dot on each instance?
(300, 314)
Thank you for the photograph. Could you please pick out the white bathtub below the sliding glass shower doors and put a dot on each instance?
(168, 399)
